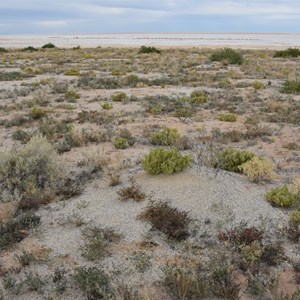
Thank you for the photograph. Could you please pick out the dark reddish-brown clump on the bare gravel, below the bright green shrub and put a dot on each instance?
(169, 220)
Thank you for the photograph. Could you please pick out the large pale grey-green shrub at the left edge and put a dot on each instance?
(30, 170)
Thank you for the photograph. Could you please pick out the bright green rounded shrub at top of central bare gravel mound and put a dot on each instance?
(161, 160)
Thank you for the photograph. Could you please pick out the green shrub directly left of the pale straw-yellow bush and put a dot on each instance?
(232, 159)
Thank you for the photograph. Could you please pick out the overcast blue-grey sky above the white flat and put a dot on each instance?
(92, 16)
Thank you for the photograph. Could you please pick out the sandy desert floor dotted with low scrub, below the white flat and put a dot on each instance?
(99, 108)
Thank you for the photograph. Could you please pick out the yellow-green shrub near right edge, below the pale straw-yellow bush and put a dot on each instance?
(281, 196)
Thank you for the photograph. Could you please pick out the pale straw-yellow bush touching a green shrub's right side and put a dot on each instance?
(257, 169)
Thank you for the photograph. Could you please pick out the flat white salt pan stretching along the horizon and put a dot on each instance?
(165, 40)
